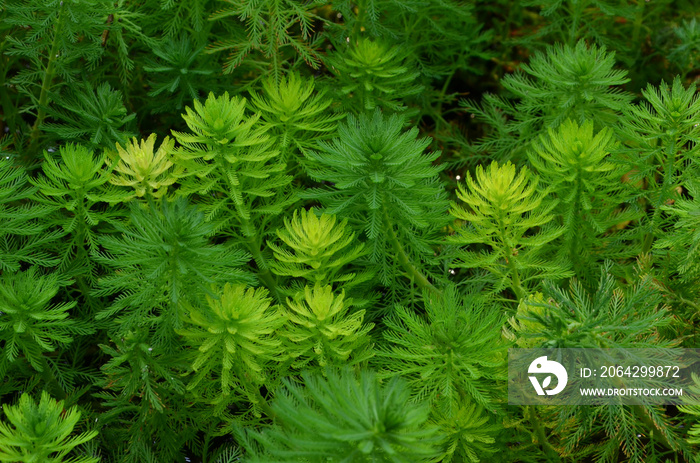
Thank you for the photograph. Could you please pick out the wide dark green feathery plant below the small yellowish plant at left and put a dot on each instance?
(162, 258)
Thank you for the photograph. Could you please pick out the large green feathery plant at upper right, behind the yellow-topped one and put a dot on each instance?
(566, 82)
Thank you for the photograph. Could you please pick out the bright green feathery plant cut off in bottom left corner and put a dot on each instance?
(40, 432)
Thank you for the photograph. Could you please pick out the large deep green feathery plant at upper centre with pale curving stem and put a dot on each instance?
(376, 168)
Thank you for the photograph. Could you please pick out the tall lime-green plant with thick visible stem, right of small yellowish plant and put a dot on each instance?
(244, 170)
